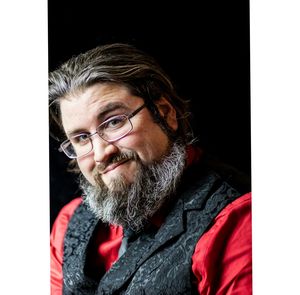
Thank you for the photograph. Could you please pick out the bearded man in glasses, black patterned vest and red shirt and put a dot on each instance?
(157, 215)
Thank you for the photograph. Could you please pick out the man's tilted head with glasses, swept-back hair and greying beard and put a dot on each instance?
(125, 126)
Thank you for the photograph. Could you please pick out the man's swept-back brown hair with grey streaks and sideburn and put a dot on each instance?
(122, 64)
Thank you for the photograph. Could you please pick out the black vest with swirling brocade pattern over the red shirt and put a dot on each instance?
(159, 260)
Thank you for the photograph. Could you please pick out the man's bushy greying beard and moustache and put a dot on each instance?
(131, 205)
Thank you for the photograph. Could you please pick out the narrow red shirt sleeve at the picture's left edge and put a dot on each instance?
(56, 245)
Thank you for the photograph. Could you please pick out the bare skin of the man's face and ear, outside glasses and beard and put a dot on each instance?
(85, 110)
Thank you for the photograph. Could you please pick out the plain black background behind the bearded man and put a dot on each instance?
(204, 47)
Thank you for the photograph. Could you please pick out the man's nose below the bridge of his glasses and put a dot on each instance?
(102, 149)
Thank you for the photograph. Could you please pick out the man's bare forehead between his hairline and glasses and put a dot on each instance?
(84, 107)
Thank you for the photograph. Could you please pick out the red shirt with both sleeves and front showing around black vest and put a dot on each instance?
(222, 261)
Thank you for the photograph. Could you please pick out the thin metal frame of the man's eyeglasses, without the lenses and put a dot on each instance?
(128, 117)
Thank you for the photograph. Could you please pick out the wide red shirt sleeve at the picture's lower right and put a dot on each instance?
(222, 261)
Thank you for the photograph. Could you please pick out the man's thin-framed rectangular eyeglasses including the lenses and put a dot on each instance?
(110, 130)
